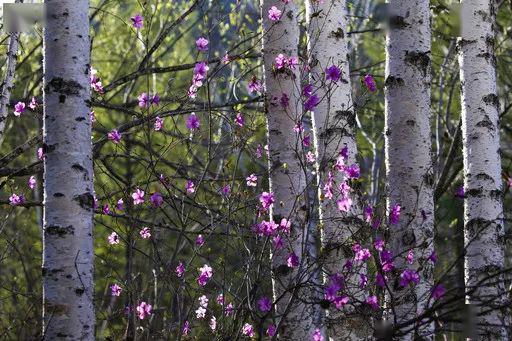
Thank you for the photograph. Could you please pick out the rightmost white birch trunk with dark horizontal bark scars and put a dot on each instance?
(483, 210)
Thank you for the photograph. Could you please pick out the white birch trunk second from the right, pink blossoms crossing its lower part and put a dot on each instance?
(408, 156)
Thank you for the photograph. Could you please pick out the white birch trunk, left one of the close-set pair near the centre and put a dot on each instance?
(287, 174)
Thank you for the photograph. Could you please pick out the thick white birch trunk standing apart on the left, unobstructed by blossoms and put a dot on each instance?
(68, 311)
